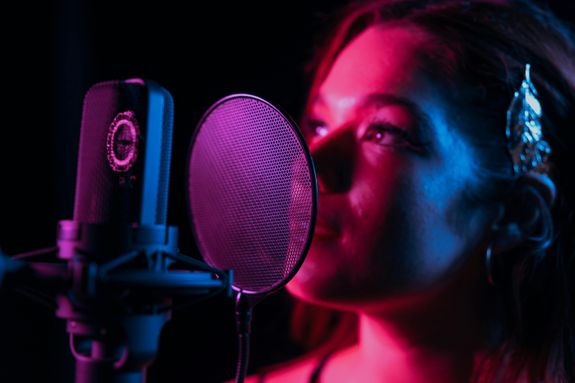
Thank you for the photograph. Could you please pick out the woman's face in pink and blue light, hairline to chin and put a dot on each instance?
(394, 172)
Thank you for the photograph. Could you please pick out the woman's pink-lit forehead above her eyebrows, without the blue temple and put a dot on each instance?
(383, 57)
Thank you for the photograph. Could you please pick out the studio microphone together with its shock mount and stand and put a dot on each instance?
(118, 267)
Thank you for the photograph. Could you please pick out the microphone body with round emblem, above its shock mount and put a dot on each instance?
(124, 156)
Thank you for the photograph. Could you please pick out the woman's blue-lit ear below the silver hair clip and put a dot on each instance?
(524, 217)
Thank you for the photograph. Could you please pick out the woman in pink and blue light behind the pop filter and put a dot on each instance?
(452, 254)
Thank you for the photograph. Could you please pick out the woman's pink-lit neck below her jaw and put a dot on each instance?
(435, 342)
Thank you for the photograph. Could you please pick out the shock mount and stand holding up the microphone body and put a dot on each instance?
(116, 299)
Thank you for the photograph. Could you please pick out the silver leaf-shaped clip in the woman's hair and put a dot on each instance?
(529, 151)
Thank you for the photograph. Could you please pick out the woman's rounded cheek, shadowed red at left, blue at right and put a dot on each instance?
(412, 228)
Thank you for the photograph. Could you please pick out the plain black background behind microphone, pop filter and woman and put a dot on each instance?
(52, 52)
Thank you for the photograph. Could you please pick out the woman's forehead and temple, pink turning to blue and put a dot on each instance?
(391, 60)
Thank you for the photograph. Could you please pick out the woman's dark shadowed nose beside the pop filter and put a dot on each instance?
(334, 156)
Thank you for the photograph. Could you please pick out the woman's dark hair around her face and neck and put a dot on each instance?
(532, 328)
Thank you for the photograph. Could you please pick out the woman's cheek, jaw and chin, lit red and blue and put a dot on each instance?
(408, 228)
